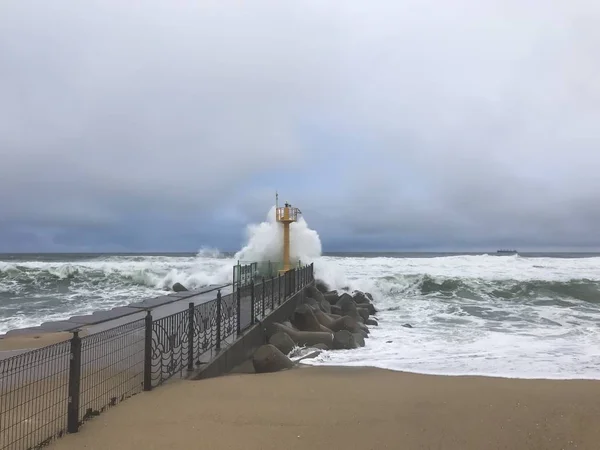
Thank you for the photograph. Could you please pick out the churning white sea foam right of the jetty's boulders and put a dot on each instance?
(531, 340)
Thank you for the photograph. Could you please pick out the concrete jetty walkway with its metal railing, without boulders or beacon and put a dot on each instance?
(110, 356)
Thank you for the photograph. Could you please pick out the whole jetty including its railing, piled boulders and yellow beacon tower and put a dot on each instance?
(104, 358)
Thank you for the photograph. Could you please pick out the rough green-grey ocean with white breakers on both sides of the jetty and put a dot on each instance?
(525, 316)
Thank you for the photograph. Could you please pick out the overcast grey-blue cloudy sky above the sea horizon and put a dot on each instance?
(393, 125)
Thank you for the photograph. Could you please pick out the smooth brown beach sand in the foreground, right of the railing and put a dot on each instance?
(347, 408)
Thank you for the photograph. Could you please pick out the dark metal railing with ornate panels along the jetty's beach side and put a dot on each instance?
(47, 392)
